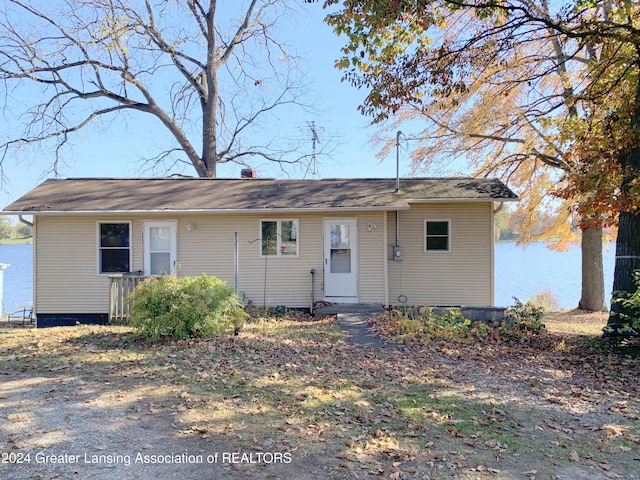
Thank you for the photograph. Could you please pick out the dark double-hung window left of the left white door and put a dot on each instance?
(114, 247)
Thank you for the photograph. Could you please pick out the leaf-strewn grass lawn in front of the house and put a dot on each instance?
(535, 408)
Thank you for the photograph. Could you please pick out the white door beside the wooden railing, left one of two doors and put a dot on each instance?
(160, 247)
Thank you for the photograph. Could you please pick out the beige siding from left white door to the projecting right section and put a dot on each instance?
(209, 248)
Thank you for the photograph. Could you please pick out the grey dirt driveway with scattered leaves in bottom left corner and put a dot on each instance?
(64, 424)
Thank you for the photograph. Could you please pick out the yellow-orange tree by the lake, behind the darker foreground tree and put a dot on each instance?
(505, 118)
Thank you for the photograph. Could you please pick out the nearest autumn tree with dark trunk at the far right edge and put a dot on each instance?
(423, 55)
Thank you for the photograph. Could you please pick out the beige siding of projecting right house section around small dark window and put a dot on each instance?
(462, 276)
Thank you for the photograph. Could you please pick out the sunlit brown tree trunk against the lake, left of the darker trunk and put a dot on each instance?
(592, 298)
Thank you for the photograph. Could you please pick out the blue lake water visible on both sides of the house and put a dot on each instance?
(520, 272)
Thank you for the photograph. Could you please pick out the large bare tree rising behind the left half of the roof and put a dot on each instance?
(211, 72)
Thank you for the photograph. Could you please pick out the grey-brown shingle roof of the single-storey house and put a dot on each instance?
(193, 194)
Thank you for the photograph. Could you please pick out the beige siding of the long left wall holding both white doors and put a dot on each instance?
(67, 279)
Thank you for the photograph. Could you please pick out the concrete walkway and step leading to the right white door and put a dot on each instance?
(352, 319)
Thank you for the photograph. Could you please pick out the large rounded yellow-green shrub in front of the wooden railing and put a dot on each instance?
(184, 307)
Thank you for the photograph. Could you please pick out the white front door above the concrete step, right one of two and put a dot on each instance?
(340, 255)
